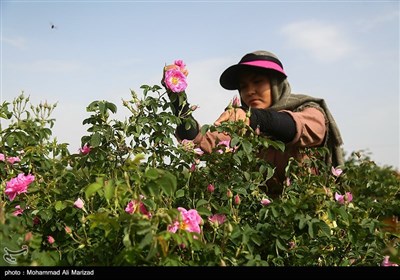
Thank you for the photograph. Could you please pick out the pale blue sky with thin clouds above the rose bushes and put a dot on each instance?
(346, 52)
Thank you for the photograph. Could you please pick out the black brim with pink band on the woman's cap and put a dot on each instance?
(230, 77)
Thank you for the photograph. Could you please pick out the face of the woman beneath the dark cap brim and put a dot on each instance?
(255, 89)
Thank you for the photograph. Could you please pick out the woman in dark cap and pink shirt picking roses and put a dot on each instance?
(300, 121)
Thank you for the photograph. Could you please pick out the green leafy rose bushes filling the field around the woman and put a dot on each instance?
(139, 159)
